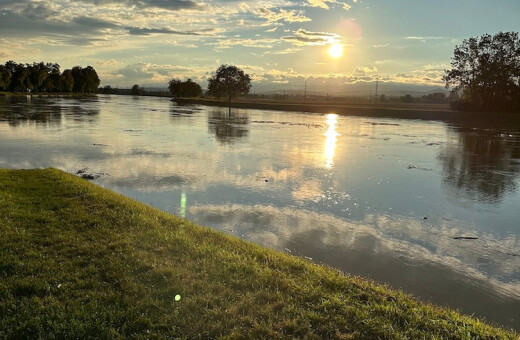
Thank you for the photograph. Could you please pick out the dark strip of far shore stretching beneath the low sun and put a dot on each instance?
(440, 112)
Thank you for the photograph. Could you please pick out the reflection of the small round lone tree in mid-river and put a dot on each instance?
(228, 124)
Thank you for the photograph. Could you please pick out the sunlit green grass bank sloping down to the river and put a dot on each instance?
(79, 261)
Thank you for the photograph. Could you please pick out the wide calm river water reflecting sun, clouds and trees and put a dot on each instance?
(381, 198)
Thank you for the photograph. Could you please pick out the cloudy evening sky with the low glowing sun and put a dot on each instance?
(282, 44)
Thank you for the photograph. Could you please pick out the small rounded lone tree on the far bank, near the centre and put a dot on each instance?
(229, 81)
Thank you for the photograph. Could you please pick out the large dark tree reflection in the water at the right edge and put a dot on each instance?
(481, 163)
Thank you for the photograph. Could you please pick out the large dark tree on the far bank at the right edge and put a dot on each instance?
(486, 71)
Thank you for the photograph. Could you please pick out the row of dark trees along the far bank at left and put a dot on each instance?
(46, 77)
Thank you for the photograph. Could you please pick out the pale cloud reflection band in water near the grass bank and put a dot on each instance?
(407, 239)
